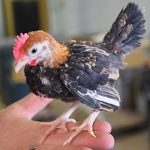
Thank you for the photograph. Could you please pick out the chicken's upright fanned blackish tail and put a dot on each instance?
(126, 32)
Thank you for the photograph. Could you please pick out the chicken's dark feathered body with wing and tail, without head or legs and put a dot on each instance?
(91, 71)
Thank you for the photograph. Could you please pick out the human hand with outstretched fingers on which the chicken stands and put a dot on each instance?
(19, 132)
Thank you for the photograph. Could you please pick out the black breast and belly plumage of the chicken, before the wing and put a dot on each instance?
(46, 82)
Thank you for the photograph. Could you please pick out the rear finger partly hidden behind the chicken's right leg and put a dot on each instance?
(98, 126)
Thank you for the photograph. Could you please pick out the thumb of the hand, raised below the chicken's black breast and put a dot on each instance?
(30, 105)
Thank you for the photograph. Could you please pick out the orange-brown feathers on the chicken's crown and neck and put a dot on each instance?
(59, 52)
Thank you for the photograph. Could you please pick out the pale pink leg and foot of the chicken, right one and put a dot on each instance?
(86, 125)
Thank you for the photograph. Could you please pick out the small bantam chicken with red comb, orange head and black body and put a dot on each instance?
(79, 71)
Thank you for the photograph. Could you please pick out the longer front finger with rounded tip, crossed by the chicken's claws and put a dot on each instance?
(103, 140)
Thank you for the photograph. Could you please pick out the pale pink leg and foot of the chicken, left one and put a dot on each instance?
(61, 121)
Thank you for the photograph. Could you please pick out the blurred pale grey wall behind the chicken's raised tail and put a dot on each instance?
(77, 17)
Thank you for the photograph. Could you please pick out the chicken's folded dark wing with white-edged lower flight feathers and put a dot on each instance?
(86, 75)
